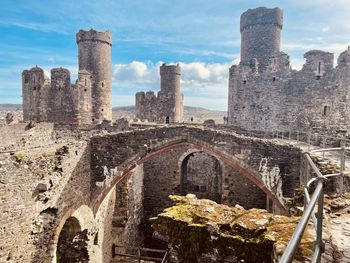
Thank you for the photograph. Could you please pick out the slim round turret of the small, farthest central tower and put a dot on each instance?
(170, 93)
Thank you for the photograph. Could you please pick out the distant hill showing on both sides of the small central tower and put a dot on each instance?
(198, 114)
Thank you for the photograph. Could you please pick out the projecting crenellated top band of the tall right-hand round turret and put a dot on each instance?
(262, 16)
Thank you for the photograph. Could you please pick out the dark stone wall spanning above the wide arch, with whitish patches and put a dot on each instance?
(259, 160)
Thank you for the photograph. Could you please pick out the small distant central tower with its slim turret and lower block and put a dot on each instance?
(167, 107)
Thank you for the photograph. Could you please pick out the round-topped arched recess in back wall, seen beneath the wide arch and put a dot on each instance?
(201, 175)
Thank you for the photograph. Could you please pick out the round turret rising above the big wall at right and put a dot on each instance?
(260, 35)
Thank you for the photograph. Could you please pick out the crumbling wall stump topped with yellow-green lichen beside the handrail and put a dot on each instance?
(201, 230)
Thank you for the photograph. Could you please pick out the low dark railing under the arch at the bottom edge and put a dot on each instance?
(158, 255)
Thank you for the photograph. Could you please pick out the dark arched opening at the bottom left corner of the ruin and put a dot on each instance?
(72, 243)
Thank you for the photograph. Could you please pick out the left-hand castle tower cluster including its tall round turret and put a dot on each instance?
(88, 101)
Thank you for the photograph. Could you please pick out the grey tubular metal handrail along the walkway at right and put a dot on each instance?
(310, 203)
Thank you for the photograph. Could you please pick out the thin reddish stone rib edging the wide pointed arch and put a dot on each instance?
(196, 145)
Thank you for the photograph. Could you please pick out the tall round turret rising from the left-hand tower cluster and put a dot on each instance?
(95, 56)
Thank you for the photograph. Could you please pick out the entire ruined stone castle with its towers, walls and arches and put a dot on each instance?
(77, 194)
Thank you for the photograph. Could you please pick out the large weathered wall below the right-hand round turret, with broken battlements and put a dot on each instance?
(286, 100)
